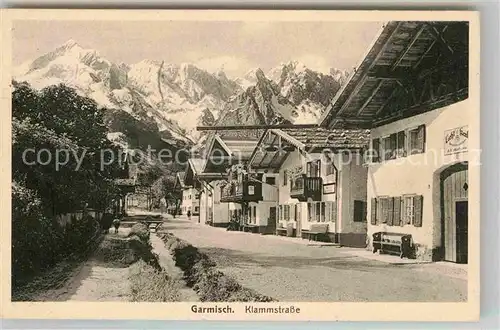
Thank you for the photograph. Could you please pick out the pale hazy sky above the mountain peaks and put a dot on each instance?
(235, 46)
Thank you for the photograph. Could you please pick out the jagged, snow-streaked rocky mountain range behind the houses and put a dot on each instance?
(175, 98)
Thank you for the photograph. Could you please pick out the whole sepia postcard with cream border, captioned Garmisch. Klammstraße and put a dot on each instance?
(271, 163)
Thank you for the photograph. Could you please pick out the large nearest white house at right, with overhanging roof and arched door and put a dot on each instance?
(411, 90)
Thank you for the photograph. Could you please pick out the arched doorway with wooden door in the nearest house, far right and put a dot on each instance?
(454, 212)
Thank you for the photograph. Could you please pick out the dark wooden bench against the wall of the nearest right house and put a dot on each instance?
(394, 243)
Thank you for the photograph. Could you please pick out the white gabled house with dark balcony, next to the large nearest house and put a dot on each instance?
(319, 177)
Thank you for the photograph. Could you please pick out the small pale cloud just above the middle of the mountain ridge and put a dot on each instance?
(233, 66)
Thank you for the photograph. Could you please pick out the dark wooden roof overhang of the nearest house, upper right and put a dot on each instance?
(410, 68)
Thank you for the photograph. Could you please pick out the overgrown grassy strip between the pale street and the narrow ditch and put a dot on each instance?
(201, 274)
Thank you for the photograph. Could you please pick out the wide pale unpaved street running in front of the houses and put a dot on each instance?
(288, 269)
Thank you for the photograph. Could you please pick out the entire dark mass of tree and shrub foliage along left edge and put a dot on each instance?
(59, 121)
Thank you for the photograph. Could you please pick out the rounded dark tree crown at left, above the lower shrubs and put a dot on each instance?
(63, 123)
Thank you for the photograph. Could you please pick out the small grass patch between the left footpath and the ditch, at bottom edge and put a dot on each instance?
(150, 285)
